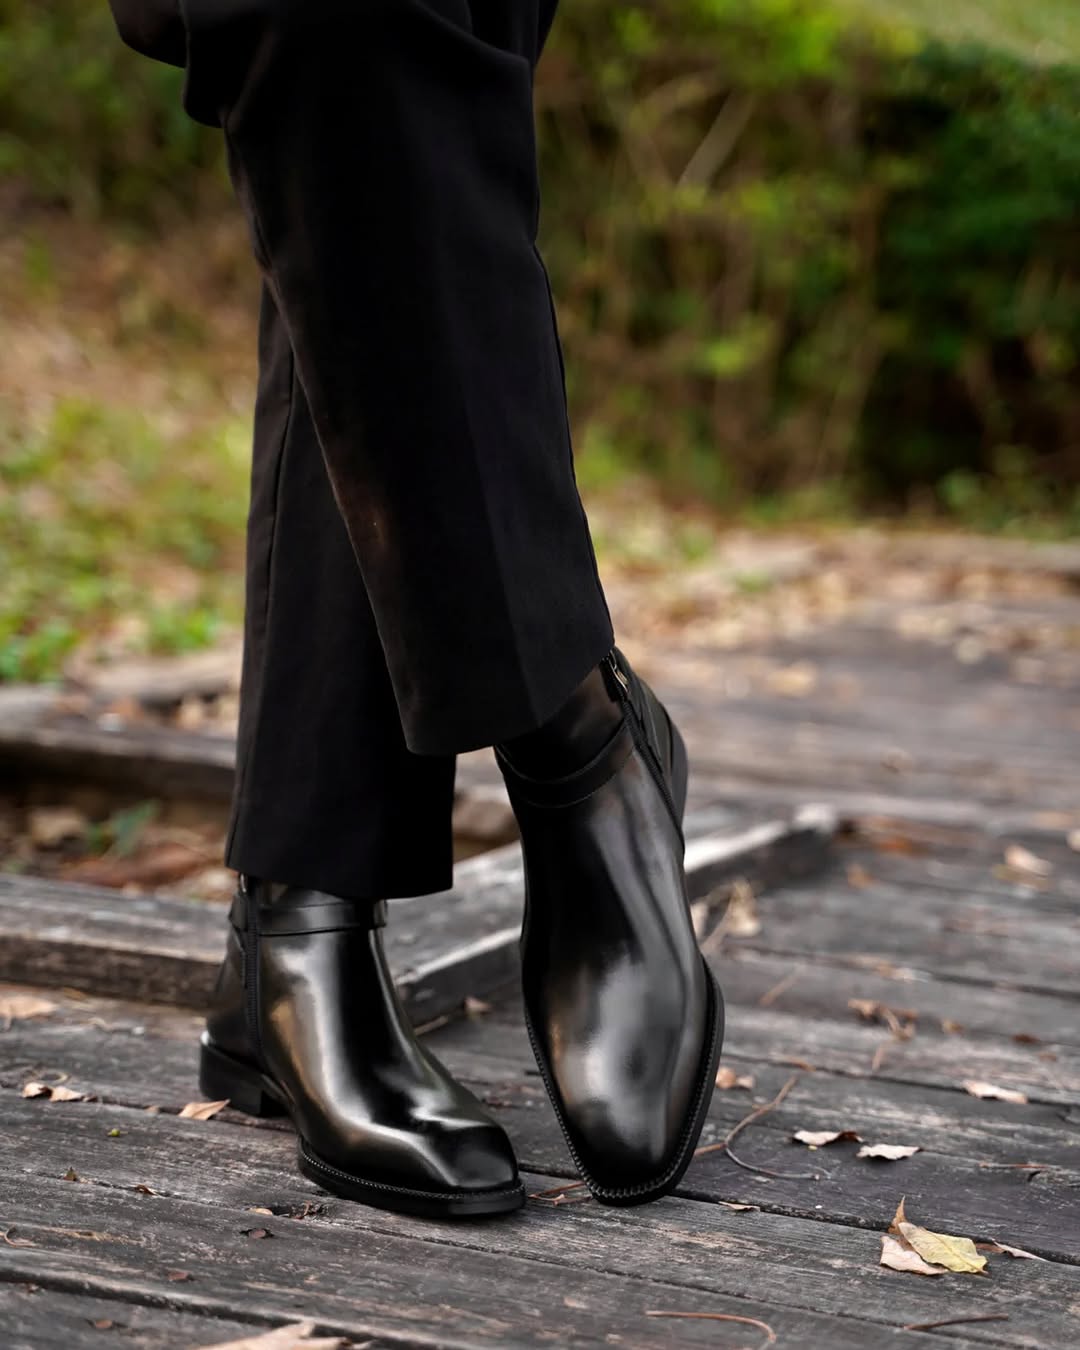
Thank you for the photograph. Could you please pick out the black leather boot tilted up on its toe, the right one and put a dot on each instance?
(623, 1012)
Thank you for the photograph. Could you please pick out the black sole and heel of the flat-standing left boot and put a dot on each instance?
(222, 1077)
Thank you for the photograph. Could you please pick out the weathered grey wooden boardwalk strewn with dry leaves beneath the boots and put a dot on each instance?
(932, 942)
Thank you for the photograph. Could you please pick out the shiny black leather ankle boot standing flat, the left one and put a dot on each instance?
(307, 1023)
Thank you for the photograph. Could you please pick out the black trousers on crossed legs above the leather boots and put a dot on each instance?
(421, 577)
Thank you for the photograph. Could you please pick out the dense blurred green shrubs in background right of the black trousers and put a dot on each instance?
(789, 252)
